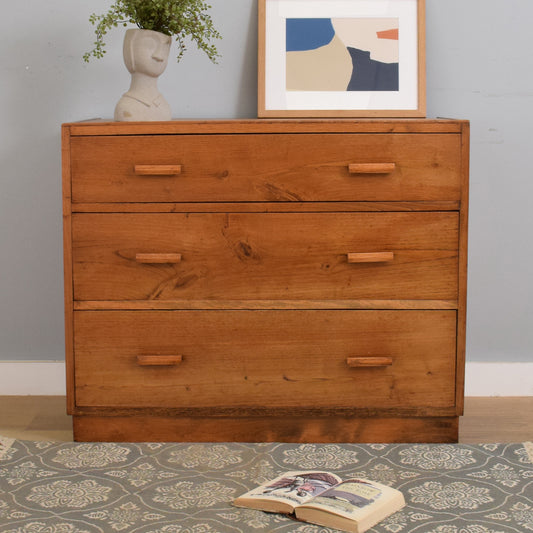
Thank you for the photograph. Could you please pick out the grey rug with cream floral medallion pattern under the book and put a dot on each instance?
(48, 487)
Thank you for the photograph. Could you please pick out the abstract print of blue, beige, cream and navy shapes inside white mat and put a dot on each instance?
(342, 54)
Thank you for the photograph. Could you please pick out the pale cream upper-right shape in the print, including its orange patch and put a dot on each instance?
(371, 35)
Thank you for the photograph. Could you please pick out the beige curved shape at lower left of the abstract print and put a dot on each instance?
(328, 68)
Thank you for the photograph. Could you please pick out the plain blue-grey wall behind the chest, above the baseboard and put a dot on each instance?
(479, 62)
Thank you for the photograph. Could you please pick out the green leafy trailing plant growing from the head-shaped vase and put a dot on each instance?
(179, 18)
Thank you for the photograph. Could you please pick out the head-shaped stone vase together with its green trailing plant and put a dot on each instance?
(147, 47)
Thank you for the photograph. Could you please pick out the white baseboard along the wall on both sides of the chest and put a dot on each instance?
(47, 378)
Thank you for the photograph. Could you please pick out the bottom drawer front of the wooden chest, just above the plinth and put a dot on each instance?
(273, 359)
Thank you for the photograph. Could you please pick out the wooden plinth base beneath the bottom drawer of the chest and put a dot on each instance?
(265, 429)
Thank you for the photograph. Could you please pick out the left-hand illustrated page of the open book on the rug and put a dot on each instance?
(294, 488)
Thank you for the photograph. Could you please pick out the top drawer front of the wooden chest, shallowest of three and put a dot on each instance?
(271, 168)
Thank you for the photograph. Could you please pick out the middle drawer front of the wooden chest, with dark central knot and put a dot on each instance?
(267, 256)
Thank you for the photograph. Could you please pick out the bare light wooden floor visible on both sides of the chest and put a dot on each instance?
(485, 419)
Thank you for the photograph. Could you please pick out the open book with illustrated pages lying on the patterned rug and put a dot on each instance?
(322, 498)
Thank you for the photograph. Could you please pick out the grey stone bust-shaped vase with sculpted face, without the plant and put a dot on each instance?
(146, 57)
